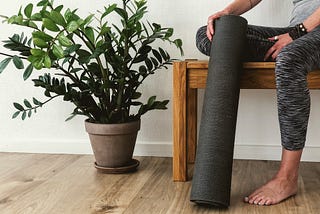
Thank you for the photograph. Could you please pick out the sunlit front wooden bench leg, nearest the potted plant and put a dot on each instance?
(179, 121)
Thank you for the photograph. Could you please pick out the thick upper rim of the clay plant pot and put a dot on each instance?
(112, 129)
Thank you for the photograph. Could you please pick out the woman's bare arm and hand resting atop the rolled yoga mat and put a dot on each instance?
(237, 7)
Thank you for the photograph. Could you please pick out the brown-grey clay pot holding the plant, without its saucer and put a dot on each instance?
(113, 144)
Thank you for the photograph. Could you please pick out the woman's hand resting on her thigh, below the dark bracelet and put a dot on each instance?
(280, 41)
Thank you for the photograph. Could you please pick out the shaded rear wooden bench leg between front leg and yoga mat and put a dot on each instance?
(192, 124)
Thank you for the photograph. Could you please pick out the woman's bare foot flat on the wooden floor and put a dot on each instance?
(273, 192)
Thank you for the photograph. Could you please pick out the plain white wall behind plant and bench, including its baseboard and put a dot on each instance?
(257, 130)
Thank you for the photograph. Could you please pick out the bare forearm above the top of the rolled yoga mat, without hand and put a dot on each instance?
(239, 7)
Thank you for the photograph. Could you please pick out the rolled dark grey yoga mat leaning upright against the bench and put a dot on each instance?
(211, 183)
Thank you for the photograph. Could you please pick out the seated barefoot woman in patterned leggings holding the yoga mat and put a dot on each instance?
(296, 50)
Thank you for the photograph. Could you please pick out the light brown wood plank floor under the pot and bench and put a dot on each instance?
(63, 184)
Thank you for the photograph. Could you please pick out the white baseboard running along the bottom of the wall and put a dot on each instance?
(160, 149)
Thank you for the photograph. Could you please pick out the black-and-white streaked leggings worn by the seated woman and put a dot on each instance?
(292, 66)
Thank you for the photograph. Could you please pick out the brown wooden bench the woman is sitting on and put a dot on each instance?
(188, 77)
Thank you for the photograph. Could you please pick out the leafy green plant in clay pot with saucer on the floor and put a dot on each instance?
(96, 64)
